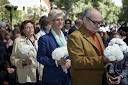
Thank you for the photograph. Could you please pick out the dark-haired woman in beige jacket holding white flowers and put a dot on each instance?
(24, 54)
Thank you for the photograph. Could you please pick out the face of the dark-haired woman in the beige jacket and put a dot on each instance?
(29, 29)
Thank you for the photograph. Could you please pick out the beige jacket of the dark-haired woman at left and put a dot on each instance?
(23, 49)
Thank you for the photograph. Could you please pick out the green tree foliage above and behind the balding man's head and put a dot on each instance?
(108, 9)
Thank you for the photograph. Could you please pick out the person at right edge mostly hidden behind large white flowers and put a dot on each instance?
(117, 55)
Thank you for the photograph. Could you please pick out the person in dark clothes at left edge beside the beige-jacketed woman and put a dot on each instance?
(7, 71)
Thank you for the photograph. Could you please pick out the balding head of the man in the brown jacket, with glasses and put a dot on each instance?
(92, 19)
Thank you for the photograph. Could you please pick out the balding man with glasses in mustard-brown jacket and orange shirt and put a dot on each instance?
(85, 48)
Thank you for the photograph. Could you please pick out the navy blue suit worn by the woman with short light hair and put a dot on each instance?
(52, 75)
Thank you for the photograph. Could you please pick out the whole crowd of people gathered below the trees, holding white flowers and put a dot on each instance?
(56, 51)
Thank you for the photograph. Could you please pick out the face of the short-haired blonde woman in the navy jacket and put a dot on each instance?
(58, 23)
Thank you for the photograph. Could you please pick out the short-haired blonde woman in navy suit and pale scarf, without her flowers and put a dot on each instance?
(53, 74)
